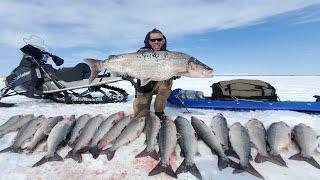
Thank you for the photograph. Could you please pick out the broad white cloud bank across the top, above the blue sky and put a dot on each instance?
(124, 23)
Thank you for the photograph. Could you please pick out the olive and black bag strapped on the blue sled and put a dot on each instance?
(244, 89)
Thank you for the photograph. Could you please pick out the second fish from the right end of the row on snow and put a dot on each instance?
(278, 138)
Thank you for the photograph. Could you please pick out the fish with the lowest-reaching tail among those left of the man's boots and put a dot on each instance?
(57, 135)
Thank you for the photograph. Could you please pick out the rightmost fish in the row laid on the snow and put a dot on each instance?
(306, 139)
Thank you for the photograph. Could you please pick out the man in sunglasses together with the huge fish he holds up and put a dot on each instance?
(154, 67)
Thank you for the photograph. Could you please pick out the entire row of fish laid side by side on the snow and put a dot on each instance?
(94, 134)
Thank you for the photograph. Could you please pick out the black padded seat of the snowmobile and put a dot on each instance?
(68, 74)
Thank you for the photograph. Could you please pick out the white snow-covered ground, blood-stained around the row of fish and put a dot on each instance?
(125, 166)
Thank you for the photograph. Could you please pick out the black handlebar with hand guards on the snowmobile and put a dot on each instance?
(37, 54)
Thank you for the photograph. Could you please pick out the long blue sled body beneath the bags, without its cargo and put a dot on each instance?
(242, 105)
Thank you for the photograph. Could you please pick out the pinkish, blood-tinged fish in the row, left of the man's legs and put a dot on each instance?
(114, 132)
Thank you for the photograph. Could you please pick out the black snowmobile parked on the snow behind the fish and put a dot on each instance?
(36, 78)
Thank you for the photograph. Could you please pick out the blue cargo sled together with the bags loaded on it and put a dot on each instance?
(240, 94)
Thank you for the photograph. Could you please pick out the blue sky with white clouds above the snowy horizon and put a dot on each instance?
(266, 37)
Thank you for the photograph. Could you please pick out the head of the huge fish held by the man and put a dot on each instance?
(197, 69)
